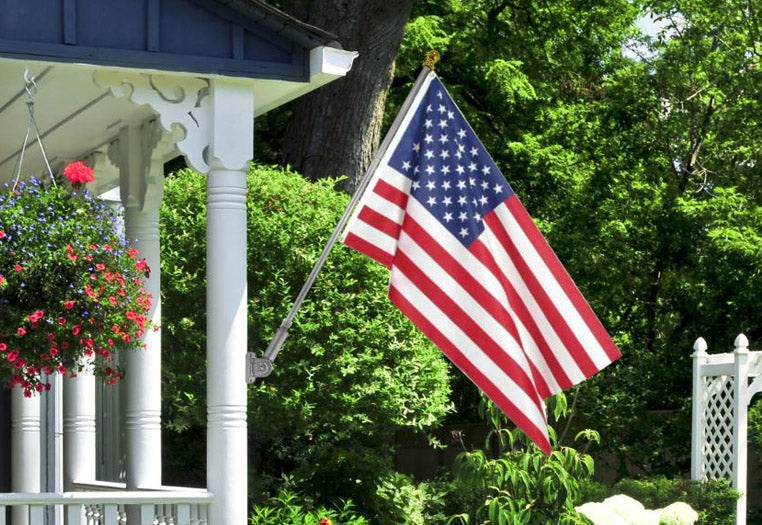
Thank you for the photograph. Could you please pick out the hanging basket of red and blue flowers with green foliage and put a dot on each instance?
(71, 287)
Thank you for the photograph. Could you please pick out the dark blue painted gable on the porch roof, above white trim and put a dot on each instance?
(234, 38)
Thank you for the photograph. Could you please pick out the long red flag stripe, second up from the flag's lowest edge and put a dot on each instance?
(460, 318)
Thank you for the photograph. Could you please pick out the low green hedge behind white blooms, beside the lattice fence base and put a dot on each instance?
(715, 501)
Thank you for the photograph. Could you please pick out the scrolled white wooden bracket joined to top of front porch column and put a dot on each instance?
(180, 102)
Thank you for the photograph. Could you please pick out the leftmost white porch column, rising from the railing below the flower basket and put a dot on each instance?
(25, 447)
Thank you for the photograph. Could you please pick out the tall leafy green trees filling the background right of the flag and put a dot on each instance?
(639, 157)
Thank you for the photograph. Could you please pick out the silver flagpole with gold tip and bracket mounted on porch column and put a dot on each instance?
(262, 367)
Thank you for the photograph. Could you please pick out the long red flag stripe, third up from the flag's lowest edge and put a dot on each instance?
(473, 287)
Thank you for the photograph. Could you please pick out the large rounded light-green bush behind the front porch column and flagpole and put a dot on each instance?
(353, 371)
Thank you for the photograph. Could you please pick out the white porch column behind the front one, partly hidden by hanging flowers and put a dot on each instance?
(141, 191)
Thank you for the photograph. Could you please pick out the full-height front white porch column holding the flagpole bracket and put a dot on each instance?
(231, 148)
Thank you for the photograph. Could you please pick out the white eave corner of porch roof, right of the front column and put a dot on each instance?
(326, 65)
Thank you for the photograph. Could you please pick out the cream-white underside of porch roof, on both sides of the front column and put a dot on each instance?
(77, 117)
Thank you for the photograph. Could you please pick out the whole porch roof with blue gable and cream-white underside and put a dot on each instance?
(64, 44)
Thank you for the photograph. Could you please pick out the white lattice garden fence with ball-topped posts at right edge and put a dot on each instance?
(723, 385)
